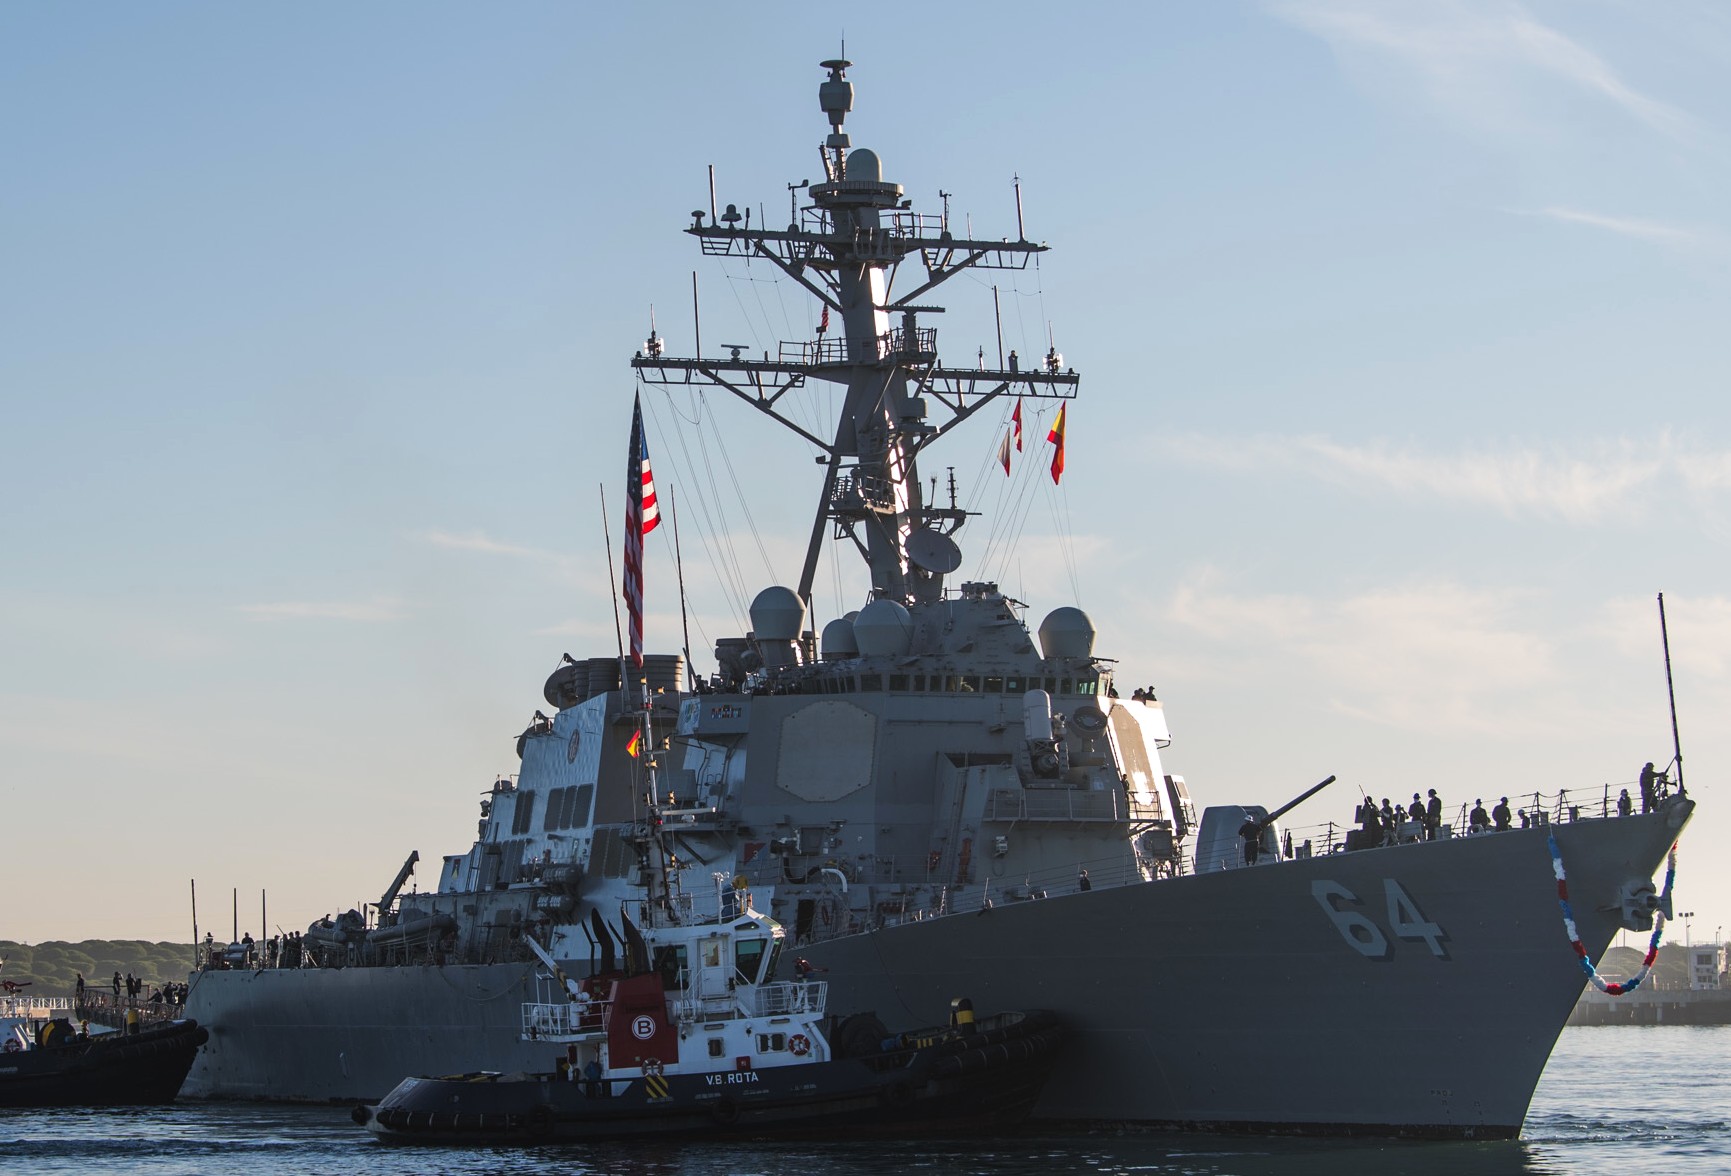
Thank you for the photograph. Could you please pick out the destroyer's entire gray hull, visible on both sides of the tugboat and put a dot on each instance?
(1228, 1000)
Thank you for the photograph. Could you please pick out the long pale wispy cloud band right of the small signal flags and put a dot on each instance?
(1588, 484)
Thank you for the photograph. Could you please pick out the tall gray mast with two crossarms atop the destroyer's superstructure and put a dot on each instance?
(846, 252)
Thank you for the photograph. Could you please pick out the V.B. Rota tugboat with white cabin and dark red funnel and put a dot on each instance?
(695, 1037)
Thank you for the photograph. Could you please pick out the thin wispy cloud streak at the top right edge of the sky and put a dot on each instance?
(1476, 60)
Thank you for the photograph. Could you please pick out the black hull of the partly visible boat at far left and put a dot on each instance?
(58, 1066)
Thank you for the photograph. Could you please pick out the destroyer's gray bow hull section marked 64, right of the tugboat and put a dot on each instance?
(1235, 1002)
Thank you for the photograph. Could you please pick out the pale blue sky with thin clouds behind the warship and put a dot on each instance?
(1401, 333)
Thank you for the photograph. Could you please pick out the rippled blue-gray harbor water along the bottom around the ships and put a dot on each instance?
(1612, 1101)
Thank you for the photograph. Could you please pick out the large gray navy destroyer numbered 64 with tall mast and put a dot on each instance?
(936, 798)
